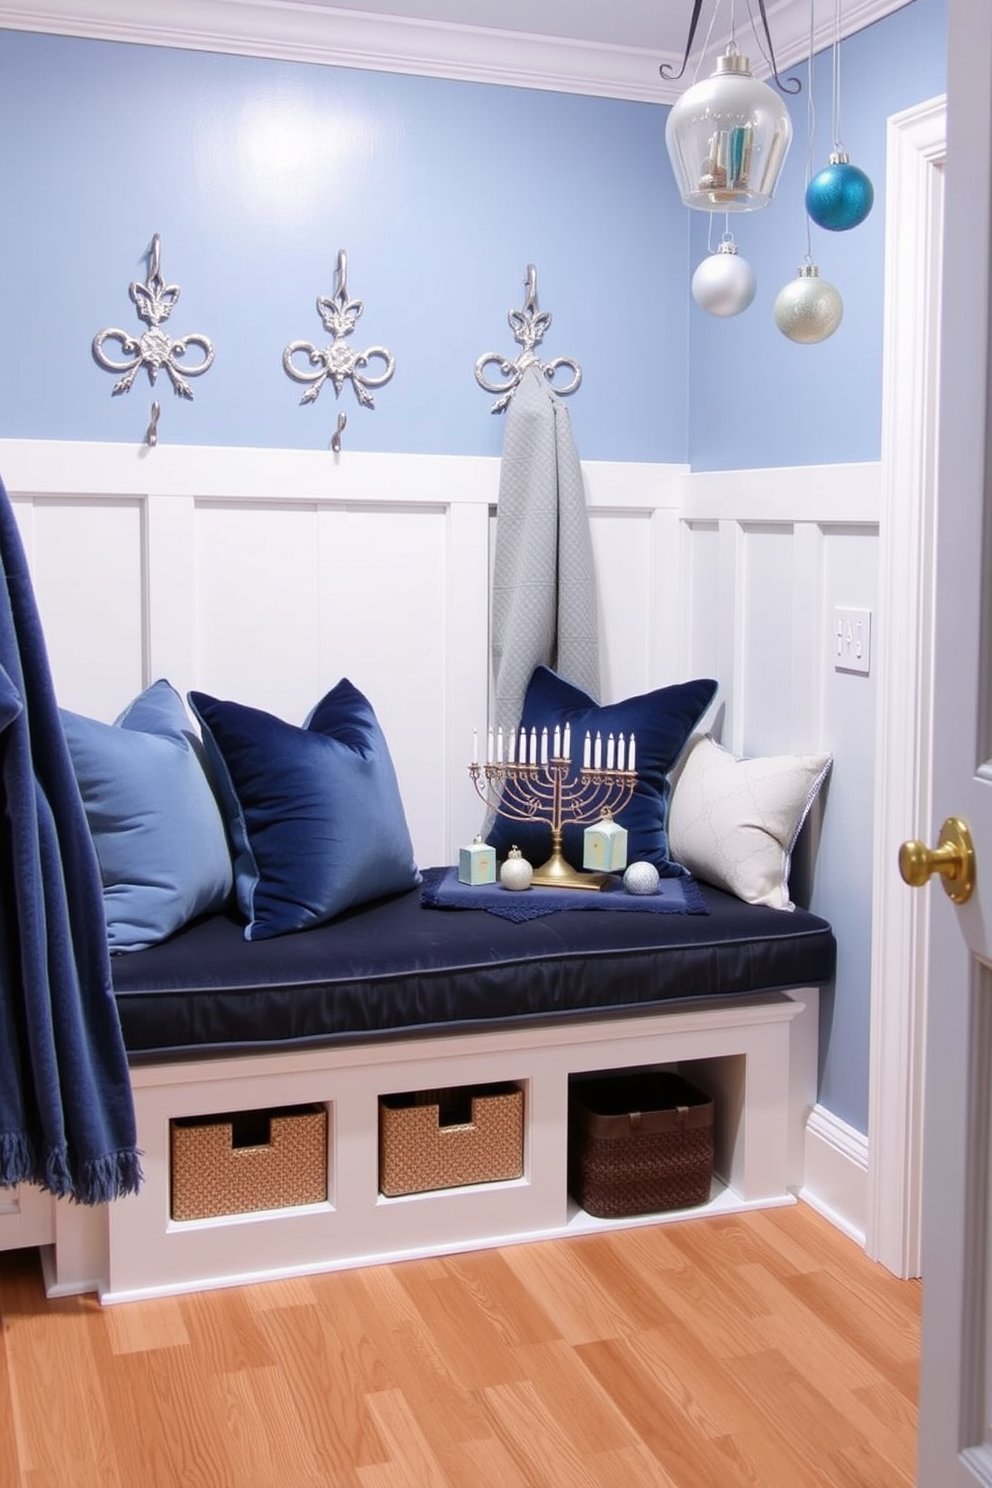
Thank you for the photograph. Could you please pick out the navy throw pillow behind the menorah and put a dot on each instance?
(661, 722)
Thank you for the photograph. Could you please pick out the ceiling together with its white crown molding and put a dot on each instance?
(609, 48)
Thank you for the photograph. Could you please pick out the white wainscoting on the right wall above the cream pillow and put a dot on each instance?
(768, 557)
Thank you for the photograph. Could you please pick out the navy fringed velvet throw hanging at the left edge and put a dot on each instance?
(66, 1109)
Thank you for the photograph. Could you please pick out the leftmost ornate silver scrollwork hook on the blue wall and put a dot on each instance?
(154, 349)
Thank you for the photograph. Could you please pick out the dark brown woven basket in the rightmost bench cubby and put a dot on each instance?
(639, 1144)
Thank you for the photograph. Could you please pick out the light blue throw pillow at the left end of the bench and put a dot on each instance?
(157, 827)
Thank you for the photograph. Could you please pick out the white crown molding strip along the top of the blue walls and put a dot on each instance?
(294, 31)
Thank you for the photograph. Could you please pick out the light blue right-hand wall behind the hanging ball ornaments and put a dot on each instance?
(755, 398)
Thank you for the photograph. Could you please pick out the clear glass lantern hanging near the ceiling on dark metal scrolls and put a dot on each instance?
(728, 136)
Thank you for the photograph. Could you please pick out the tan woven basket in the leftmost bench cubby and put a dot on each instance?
(249, 1161)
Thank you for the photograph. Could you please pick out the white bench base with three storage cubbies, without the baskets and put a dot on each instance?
(756, 1056)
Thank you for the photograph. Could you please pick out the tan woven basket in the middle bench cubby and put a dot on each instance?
(448, 1139)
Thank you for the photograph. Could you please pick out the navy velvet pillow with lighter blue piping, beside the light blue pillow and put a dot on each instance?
(315, 813)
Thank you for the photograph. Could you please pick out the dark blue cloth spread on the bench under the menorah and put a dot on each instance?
(442, 891)
